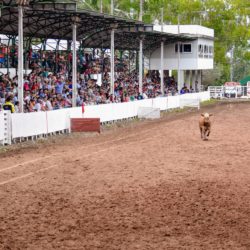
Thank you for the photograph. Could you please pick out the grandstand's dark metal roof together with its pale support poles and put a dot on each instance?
(92, 30)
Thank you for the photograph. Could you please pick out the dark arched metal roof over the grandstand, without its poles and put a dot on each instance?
(54, 20)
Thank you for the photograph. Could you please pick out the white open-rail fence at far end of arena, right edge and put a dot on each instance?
(229, 91)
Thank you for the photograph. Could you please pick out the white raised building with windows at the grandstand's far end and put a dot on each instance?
(195, 55)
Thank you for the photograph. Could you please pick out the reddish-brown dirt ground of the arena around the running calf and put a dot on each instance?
(150, 185)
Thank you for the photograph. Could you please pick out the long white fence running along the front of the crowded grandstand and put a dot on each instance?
(39, 124)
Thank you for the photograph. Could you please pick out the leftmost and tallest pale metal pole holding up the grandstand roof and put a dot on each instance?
(20, 57)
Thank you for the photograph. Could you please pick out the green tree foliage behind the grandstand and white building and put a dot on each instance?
(228, 18)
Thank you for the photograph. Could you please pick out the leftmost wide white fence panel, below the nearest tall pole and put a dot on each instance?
(28, 124)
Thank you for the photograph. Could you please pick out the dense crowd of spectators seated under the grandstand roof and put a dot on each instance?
(48, 86)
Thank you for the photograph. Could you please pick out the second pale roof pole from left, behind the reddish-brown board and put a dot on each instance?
(74, 69)
